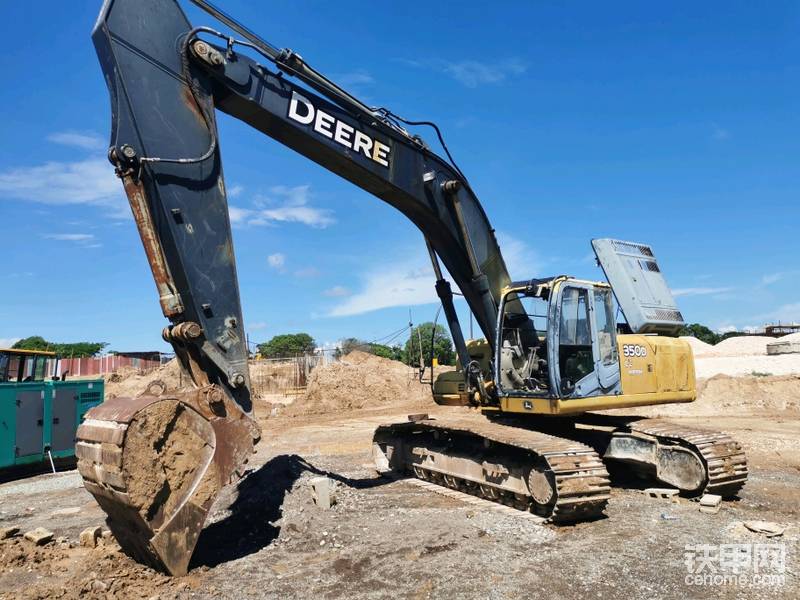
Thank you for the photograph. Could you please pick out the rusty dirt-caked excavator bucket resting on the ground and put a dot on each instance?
(156, 463)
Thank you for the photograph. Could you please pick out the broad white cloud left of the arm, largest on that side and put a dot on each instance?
(90, 181)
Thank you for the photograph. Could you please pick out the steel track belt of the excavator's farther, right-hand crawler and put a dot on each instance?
(723, 457)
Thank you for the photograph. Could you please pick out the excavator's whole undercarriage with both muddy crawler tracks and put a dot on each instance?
(557, 468)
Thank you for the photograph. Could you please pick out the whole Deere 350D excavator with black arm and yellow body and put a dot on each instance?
(552, 352)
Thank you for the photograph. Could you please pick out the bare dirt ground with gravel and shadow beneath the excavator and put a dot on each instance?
(392, 539)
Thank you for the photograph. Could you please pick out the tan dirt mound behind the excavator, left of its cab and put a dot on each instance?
(361, 380)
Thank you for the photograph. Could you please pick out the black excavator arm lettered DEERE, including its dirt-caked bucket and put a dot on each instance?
(155, 463)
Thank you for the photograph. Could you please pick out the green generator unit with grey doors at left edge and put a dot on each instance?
(40, 411)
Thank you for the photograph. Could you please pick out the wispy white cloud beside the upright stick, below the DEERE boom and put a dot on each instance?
(285, 205)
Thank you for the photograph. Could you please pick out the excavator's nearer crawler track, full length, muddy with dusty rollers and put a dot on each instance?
(558, 479)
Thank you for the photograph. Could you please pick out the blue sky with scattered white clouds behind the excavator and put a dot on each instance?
(672, 124)
